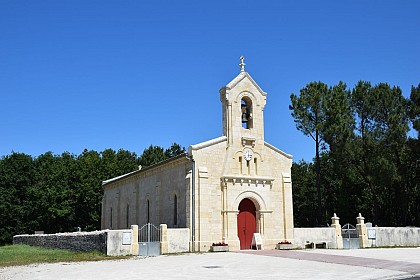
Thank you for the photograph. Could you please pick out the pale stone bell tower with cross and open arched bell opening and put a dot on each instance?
(243, 103)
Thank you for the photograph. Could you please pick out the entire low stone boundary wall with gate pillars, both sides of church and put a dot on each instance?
(177, 240)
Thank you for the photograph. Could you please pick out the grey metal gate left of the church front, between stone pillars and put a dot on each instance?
(149, 240)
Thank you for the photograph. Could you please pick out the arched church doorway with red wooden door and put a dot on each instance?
(247, 223)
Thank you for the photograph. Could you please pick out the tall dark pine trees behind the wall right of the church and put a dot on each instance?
(365, 160)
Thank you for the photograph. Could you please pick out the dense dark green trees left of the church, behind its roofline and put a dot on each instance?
(57, 193)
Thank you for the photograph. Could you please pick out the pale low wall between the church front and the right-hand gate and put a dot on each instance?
(305, 236)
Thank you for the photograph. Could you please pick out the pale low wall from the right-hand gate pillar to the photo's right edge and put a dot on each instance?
(395, 236)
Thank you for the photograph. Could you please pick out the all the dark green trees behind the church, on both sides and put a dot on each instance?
(365, 161)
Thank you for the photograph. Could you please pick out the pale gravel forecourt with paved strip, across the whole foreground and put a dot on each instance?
(396, 263)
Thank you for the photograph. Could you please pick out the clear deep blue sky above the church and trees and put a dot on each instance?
(127, 74)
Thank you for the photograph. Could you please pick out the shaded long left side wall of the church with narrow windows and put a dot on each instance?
(148, 195)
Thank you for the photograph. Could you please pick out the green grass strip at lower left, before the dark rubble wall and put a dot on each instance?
(15, 255)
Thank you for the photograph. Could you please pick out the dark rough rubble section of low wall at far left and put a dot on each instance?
(74, 241)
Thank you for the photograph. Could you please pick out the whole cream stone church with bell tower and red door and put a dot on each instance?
(223, 190)
